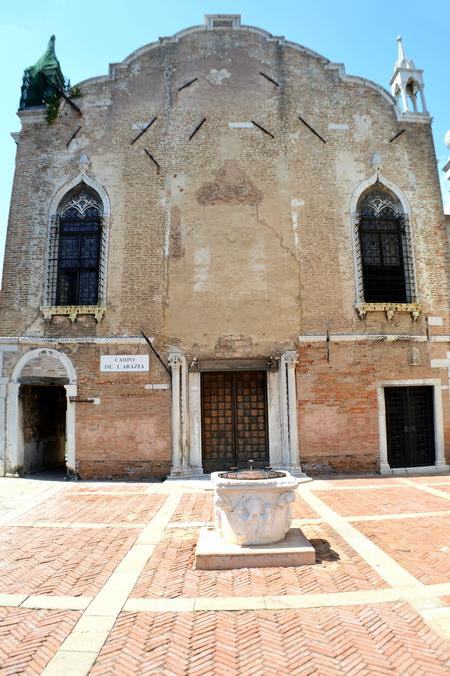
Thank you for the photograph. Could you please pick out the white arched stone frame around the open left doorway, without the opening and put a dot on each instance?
(14, 451)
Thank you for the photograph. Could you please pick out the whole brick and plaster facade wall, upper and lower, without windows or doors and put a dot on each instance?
(240, 242)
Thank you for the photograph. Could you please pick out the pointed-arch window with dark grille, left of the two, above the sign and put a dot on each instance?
(75, 249)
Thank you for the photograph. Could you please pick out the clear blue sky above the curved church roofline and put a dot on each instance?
(91, 34)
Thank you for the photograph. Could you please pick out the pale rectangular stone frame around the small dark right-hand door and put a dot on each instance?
(439, 458)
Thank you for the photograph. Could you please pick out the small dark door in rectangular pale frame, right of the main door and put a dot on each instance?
(410, 426)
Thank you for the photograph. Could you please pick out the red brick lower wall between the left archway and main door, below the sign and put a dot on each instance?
(128, 433)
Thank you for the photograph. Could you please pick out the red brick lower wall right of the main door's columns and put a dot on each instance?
(337, 399)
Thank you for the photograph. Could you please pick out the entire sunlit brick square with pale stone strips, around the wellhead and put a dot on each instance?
(377, 600)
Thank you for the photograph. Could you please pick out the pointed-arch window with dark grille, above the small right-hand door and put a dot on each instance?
(385, 248)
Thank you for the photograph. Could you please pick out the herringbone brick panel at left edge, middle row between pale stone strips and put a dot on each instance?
(60, 561)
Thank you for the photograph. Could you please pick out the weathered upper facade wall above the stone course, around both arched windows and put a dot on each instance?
(252, 231)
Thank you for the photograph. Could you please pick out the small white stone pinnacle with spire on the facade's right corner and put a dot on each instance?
(407, 84)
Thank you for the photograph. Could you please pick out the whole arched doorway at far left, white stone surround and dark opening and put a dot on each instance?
(40, 413)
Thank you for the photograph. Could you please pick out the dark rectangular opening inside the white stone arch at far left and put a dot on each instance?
(44, 426)
